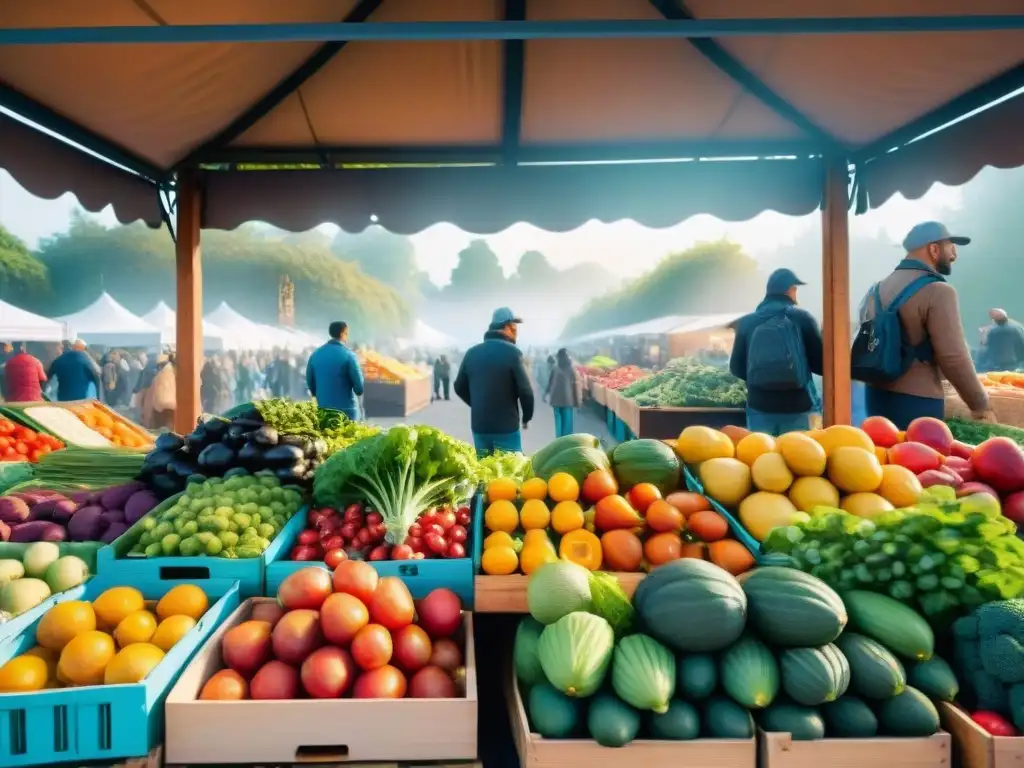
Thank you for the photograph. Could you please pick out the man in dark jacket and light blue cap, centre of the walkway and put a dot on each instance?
(493, 380)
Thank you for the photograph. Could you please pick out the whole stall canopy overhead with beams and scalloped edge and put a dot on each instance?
(498, 105)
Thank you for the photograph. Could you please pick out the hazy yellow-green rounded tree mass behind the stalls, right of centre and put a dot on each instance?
(708, 279)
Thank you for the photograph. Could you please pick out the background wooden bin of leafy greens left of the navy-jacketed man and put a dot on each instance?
(684, 394)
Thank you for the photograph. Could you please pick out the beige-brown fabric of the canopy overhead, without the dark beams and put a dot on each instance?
(790, 95)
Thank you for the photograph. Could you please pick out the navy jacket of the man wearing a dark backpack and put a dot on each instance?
(789, 402)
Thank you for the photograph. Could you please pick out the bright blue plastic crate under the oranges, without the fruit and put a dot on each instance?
(104, 722)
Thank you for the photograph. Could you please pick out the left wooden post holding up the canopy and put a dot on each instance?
(190, 313)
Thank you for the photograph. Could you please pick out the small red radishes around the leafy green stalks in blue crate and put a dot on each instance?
(359, 534)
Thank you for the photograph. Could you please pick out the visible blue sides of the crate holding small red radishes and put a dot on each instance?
(422, 577)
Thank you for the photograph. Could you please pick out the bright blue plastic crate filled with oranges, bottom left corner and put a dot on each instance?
(105, 655)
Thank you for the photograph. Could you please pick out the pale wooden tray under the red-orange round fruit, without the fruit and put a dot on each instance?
(272, 733)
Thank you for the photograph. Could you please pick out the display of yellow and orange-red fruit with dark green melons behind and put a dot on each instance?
(573, 509)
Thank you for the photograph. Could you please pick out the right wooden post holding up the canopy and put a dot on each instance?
(836, 276)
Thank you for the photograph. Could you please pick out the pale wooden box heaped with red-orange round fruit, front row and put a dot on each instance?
(360, 654)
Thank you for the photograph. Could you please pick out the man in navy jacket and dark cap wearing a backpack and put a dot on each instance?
(777, 412)
